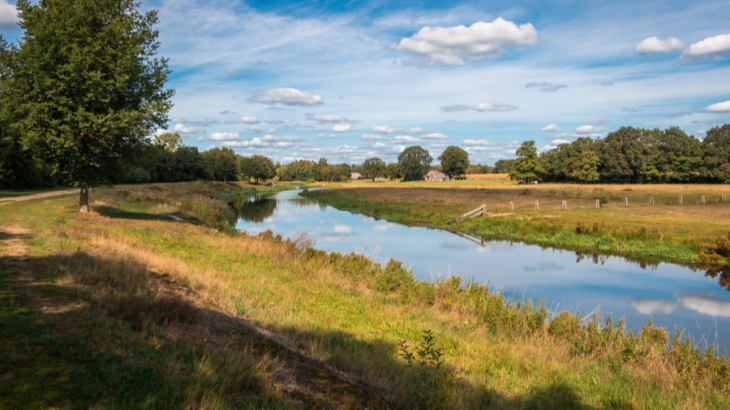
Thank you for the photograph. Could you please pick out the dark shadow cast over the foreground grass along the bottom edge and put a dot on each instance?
(105, 339)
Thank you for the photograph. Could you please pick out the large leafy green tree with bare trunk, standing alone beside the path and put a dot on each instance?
(88, 87)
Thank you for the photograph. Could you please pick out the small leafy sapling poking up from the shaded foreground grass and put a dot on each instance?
(430, 382)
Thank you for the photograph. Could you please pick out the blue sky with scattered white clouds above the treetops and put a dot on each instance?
(350, 80)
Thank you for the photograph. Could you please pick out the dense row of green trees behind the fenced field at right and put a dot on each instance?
(630, 155)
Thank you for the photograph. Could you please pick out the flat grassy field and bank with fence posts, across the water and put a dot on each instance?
(667, 230)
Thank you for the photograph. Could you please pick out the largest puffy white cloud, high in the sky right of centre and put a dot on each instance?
(454, 45)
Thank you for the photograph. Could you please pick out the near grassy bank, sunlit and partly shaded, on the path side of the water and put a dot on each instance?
(131, 308)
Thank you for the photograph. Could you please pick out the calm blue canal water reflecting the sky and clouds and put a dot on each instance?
(673, 296)
